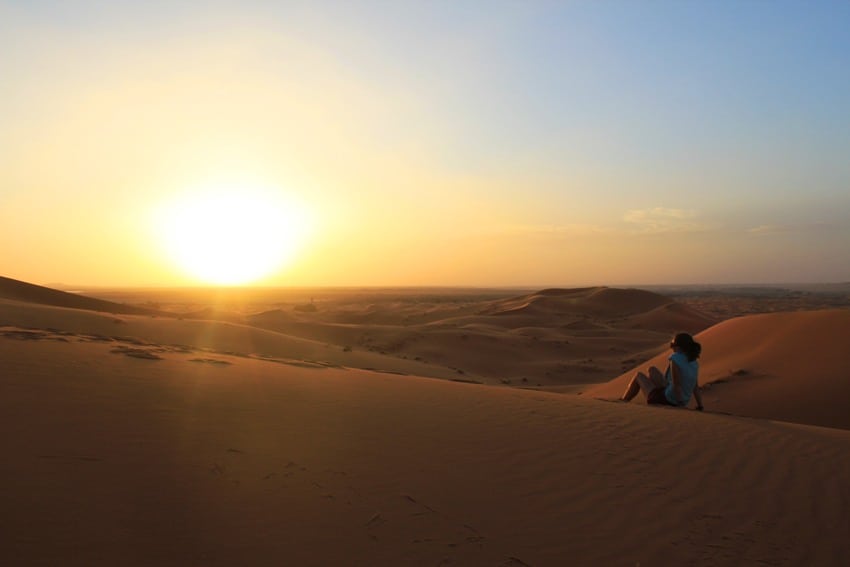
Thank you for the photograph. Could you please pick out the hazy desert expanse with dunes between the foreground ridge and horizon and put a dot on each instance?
(531, 338)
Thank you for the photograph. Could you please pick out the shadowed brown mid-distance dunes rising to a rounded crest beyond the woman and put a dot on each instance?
(549, 338)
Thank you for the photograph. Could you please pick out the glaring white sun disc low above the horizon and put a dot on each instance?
(231, 236)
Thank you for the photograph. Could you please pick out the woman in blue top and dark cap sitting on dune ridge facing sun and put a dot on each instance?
(674, 387)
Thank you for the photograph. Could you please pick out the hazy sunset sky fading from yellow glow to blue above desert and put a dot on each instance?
(445, 143)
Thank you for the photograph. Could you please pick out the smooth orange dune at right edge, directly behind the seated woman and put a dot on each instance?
(787, 366)
